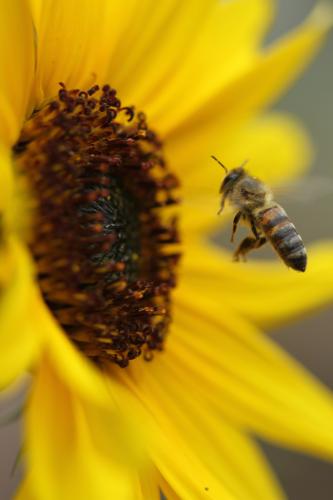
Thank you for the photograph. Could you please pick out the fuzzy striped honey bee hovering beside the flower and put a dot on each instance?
(268, 221)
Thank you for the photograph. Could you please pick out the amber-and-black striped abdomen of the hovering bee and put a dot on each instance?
(283, 235)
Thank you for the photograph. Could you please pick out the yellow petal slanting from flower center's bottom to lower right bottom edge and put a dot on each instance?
(186, 418)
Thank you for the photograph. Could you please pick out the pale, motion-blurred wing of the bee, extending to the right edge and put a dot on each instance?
(307, 189)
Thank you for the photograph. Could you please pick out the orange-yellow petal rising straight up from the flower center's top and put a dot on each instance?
(77, 57)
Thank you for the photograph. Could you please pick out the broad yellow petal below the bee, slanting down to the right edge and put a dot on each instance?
(249, 379)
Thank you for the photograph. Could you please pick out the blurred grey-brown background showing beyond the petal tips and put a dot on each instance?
(310, 340)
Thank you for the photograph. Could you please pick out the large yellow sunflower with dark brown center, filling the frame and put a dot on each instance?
(148, 369)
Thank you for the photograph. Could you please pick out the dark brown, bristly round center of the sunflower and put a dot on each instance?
(104, 235)
